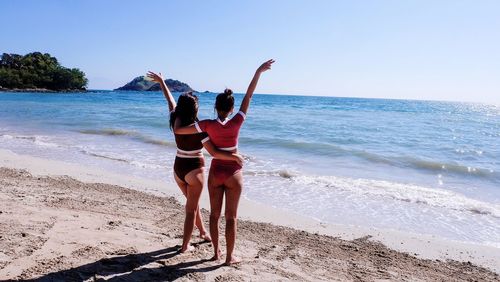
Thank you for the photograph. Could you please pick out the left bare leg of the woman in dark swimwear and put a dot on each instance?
(194, 187)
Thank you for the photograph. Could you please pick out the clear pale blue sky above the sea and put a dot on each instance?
(416, 49)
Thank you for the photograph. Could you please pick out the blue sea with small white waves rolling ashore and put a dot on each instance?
(416, 166)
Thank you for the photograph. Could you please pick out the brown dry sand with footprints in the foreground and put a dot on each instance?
(58, 228)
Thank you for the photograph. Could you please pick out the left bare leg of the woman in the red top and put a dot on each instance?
(216, 193)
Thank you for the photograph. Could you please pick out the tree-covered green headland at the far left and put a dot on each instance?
(38, 72)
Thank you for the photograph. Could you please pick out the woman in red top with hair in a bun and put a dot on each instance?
(225, 176)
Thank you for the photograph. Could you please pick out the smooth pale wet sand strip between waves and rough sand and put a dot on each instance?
(421, 246)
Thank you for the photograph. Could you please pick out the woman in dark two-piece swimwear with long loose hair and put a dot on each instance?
(189, 163)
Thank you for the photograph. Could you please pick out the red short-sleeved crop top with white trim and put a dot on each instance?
(223, 134)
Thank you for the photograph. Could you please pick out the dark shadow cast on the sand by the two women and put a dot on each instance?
(129, 268)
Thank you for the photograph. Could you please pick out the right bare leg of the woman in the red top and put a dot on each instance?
(234, 185)
